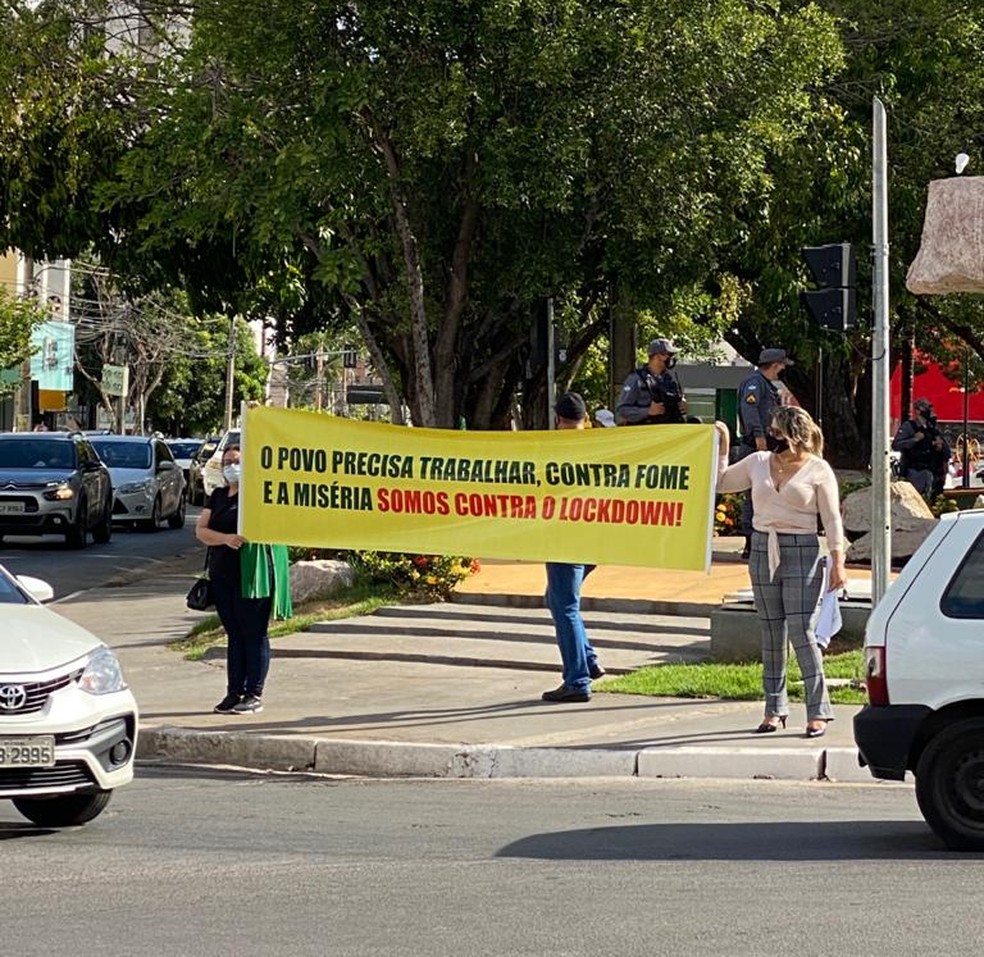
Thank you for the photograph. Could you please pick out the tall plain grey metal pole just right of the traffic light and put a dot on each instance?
(881, 524)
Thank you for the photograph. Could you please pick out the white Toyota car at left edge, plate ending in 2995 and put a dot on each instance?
(68, 722)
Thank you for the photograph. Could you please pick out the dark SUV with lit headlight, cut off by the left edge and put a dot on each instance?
(53, 483)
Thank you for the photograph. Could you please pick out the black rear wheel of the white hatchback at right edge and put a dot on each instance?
(950, 785)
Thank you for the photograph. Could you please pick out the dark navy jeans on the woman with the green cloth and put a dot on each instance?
(248, 648)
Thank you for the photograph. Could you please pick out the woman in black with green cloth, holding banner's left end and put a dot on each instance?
(249, 582)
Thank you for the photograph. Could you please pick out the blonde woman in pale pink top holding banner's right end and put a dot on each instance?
(790, 486)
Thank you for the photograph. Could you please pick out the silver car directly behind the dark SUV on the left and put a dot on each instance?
(148, 485)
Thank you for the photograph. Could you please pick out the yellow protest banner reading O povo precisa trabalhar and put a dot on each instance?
(629, 496)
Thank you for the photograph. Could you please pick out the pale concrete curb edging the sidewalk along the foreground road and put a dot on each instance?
(396, 759)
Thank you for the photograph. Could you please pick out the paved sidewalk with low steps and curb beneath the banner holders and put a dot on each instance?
(453, 690)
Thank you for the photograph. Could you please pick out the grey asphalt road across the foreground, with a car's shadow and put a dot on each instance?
(206, 862)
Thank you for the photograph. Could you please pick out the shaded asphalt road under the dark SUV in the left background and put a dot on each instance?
(129, 552)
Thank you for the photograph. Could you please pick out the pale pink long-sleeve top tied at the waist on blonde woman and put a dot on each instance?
(792, 508)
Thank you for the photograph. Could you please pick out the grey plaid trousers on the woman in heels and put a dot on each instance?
(787, 609)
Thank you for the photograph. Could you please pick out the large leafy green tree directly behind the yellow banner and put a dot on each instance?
(443, 167)
